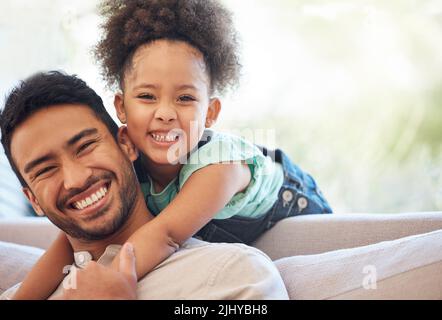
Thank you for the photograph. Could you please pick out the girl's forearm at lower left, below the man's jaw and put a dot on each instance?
(47, 273)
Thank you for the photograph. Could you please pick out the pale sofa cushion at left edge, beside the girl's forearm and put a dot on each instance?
(15, 262)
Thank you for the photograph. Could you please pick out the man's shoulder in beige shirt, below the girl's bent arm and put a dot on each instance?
(202, 270)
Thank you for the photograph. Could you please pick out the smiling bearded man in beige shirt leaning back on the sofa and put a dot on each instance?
(63, 147)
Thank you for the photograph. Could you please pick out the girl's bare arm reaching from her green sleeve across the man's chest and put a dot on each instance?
(206, 192)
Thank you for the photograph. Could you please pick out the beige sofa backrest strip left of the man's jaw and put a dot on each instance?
(36, 232)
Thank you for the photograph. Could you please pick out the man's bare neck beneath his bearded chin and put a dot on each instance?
(139, 216)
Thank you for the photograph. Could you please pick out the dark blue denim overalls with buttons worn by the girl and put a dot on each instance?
(298, 195)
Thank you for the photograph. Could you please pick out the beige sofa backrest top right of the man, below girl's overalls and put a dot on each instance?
(313, 234)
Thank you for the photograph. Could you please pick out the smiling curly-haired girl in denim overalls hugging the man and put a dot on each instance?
(169, 59)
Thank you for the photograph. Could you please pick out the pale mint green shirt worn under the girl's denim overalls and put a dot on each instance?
(256, 200)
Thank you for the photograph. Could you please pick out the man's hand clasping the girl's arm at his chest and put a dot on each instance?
(97, 282)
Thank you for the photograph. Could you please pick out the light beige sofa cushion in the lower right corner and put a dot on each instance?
(406, 268)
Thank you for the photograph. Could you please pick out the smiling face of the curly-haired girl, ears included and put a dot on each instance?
(166, 101)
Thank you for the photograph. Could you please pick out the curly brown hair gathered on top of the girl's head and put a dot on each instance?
(204, 24)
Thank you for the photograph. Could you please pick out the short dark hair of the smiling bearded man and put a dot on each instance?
(42, 90)
